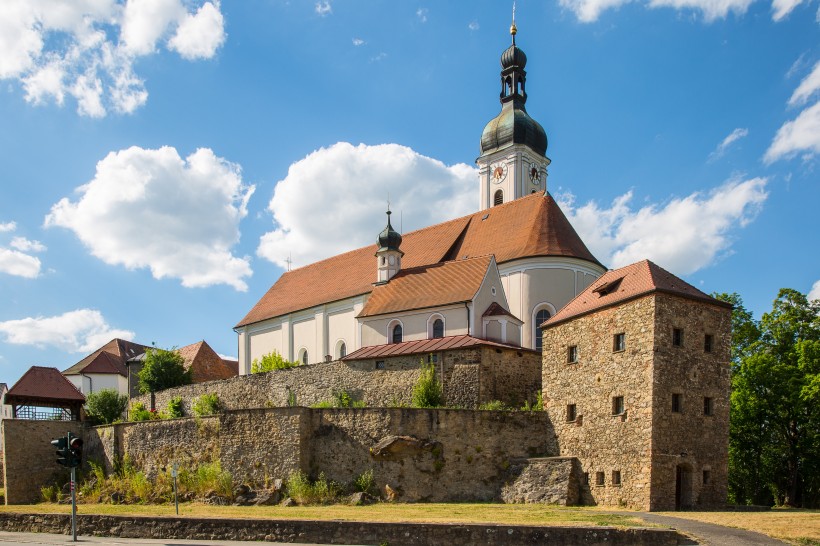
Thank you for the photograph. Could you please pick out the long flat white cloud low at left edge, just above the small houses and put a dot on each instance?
(80, 331)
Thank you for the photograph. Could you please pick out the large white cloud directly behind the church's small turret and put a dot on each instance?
(422, 191)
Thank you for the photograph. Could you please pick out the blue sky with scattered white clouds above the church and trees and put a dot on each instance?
(160, 160)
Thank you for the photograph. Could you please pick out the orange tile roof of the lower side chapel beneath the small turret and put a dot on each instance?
(428, 286)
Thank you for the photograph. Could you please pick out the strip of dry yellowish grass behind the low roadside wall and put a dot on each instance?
(508, 514)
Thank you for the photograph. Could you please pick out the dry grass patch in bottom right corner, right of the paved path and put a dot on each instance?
(797, 526)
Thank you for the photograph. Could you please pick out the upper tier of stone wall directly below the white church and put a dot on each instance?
(469, 378)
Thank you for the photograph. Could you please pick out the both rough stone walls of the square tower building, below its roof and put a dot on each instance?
(634, 450)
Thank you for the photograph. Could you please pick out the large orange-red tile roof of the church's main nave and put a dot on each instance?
(530, 226)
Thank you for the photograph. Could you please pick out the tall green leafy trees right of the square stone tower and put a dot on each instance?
(774, 445)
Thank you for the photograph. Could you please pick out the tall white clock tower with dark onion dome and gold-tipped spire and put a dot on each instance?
(513, 161)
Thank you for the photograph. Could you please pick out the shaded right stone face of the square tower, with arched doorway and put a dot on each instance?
(689, 438)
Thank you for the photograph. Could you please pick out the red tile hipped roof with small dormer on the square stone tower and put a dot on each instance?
(628, 283)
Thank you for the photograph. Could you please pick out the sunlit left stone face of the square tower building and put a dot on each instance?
(603, 439)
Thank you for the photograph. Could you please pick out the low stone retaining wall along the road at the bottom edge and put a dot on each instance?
(336, 532)
